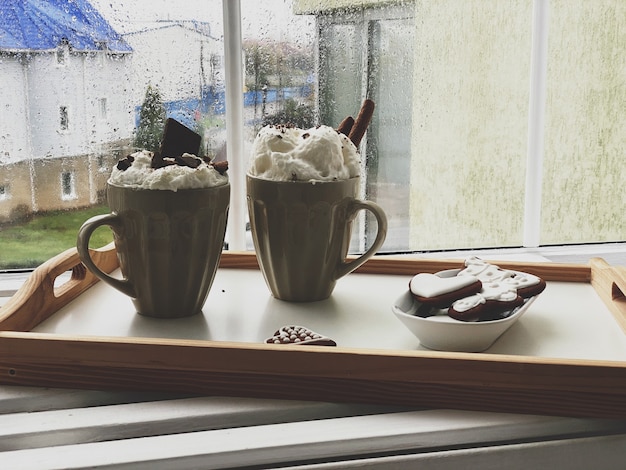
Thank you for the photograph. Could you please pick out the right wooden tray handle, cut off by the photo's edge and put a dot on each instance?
(610, 284)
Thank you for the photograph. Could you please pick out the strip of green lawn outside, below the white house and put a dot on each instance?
(31, 243)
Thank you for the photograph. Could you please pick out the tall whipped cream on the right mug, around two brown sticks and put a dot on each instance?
(321, 153)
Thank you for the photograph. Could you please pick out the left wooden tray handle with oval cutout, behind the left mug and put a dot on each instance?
(39, 297)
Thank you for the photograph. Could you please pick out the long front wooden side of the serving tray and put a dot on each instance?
(417, 378)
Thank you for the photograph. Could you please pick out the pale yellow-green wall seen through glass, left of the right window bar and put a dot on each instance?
(470, 120)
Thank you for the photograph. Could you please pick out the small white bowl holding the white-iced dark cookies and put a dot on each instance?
(442, 333)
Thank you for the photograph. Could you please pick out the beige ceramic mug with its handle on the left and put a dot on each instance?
(168, 243)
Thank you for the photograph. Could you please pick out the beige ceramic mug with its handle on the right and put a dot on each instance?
(302, 231)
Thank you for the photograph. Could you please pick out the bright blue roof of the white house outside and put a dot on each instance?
(37, 25)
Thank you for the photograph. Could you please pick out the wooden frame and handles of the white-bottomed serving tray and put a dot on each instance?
(489, 382)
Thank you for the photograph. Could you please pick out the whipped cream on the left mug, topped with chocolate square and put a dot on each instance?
(141, 175)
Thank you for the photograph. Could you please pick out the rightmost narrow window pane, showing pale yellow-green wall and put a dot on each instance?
(584, 184)
